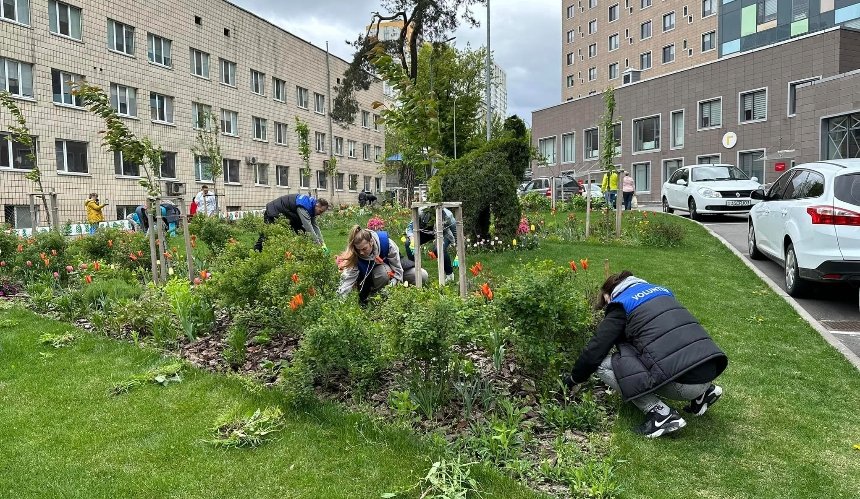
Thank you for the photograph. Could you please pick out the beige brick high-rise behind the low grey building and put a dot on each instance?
(611, 42)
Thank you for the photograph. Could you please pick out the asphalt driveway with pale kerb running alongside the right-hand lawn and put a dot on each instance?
(833, 310)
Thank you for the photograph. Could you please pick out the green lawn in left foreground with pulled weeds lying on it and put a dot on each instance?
(64, 436)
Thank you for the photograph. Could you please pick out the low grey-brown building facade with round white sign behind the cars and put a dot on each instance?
(795, 101)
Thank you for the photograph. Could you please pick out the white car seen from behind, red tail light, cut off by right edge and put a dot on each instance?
(809, 221)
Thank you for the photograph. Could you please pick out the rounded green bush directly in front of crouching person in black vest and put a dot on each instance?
(550, 316)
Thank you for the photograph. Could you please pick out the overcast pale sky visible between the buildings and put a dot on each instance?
(525, 39)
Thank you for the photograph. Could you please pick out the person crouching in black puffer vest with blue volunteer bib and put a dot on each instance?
(662, 351)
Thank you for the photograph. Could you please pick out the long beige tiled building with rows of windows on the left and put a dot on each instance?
(165, 64)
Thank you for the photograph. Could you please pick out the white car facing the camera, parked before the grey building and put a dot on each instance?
(708, 189)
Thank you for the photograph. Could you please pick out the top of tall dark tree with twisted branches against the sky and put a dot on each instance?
(422, 20)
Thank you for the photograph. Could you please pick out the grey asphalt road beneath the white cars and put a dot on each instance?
(834, 306)
